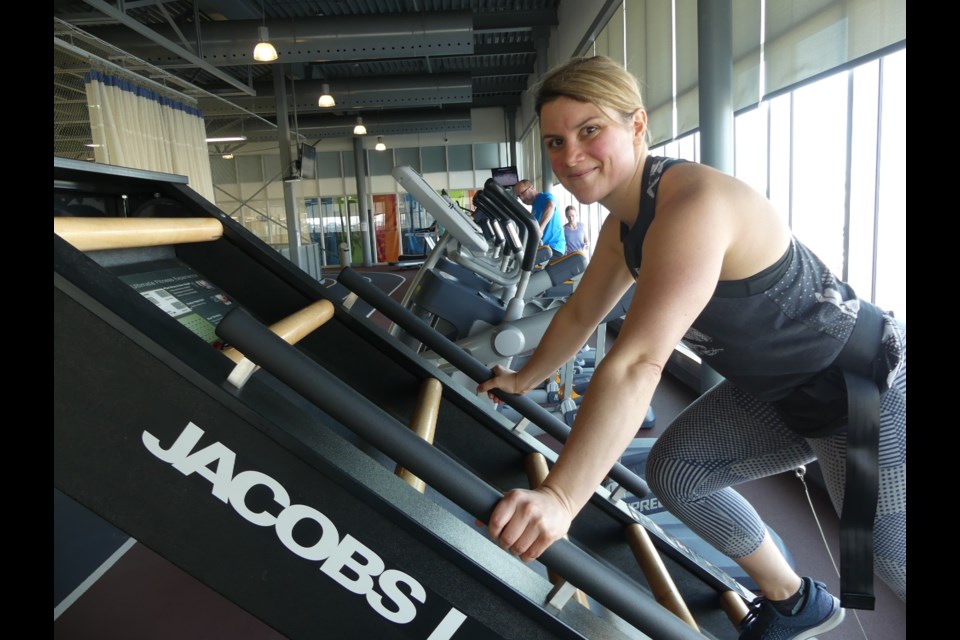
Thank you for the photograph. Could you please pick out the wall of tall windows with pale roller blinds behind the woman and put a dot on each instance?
(828, 149)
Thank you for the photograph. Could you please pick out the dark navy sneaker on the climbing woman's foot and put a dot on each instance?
(818, 612)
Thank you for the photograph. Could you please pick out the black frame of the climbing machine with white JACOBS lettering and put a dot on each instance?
(126, 375)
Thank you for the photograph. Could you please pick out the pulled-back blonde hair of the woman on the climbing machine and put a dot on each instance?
(598, 80)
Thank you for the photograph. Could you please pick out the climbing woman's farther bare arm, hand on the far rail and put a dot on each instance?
(604, 282)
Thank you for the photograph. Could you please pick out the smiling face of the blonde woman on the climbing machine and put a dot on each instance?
(592, 153)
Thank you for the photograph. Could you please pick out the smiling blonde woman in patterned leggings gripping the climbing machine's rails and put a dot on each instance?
(714, 265)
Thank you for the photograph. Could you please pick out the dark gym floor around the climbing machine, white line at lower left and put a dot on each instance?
(136, 593)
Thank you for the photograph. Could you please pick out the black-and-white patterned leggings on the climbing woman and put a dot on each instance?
(694, 463)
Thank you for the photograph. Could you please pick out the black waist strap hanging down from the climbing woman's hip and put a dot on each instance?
(856, 361)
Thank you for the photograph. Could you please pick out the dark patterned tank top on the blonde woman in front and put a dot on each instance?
(768, 333)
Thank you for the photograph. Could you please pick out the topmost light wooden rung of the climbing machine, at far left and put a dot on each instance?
(94, 234)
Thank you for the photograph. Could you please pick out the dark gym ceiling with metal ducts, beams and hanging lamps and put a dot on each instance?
(405, 66)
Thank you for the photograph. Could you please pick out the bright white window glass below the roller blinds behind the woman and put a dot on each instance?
(831, 156)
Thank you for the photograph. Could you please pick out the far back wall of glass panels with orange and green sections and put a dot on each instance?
(249, 189)
